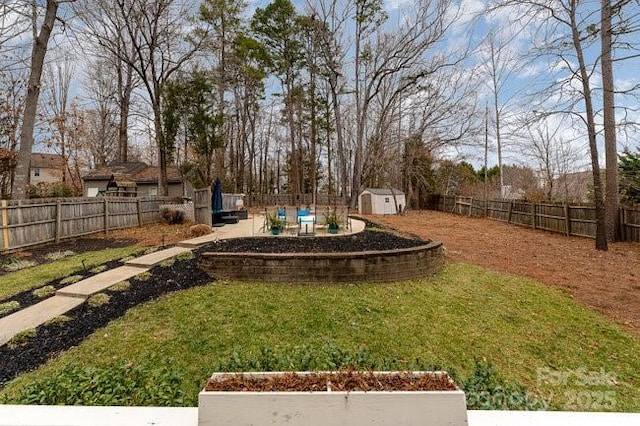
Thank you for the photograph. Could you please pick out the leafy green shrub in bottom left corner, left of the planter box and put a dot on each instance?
(143, 385)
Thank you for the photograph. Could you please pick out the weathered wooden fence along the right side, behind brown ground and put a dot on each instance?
(570, 220)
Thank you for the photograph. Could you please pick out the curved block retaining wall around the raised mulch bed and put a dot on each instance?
(368, 266)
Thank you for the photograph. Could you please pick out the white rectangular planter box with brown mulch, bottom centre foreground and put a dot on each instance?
(332, 398)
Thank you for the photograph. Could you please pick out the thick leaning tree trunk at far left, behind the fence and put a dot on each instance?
(22, 170)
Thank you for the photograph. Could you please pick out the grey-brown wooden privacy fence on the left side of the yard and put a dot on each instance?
(25, 223)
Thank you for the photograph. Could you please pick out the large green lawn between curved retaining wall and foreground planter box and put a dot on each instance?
(532, 334)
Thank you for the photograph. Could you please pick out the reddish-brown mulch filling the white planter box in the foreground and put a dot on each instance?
(348, 380)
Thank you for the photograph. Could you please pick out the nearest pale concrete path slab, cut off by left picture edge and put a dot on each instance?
(35, 315)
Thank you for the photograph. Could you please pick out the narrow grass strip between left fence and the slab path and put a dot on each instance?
(14, 283)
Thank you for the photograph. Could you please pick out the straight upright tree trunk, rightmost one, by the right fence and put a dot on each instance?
(609, 121)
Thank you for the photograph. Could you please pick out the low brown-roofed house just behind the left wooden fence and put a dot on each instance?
(131, 179)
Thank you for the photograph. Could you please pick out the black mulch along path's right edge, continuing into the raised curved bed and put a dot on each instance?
(52, 339)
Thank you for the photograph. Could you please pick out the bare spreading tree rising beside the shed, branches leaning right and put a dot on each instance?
(393, 64)
